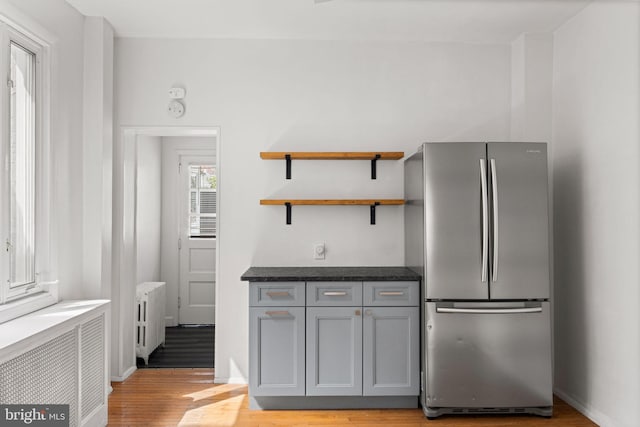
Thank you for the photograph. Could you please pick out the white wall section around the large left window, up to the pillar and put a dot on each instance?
(63, 26)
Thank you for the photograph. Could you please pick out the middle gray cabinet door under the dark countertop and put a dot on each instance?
(334, 351)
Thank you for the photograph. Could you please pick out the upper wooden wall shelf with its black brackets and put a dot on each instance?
(373, 156)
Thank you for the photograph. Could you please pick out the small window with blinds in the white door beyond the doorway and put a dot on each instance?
(202, 201)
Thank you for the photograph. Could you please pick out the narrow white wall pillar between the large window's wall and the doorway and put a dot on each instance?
(97, 157)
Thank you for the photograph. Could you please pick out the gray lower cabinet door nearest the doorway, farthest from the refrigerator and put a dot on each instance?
(276, 351)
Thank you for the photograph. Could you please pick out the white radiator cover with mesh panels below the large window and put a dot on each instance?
(58, 355)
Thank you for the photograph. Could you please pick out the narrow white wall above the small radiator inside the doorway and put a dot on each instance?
(148, 208)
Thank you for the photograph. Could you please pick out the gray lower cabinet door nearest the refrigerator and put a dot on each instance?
(391, 338)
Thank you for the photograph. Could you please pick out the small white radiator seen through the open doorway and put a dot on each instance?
(150, 308)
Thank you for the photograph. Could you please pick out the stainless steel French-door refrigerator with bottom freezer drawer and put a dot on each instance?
(476, 229)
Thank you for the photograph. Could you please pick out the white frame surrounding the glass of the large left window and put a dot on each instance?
(43, 291)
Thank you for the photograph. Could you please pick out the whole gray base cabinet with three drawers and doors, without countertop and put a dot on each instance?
(316, 341)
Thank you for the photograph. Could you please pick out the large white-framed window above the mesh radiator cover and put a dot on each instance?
(24, 224)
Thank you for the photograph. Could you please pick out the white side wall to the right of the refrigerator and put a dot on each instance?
(596, 182)
